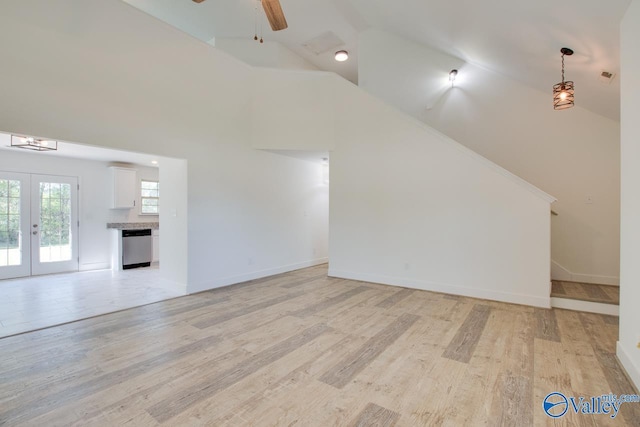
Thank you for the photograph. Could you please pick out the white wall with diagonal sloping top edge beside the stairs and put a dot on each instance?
(411, 207)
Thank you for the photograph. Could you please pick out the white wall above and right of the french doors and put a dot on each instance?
(93, 198)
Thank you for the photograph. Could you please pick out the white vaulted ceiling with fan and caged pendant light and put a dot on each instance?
(518, 39)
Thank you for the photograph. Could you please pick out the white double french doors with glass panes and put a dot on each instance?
(38, 224)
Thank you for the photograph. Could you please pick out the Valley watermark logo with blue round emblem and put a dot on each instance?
(556, 404)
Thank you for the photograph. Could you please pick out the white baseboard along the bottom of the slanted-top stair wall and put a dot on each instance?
(425, 285)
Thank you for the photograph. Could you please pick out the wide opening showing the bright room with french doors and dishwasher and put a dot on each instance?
(40, 208)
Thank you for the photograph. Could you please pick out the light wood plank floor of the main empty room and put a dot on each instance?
(303, 349)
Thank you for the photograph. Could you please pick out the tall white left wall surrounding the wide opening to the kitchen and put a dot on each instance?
(110, 75)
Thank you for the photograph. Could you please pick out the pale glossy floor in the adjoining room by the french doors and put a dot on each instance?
(31, 303)
